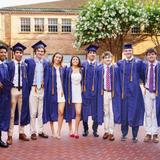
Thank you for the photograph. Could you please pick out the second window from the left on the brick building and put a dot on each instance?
(39, 25)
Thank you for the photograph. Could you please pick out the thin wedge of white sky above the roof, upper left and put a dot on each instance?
(8, 3)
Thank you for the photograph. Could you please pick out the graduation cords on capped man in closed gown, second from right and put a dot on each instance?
(131, 74)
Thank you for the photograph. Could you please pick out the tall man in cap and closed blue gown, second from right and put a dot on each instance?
(132, 110)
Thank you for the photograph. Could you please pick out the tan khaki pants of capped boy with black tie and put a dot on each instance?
(16, 99)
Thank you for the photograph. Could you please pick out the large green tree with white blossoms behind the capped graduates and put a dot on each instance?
(107, 22)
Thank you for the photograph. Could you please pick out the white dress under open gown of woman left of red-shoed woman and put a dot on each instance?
(60, 92)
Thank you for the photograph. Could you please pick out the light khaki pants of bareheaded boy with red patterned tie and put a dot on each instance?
(108, 113)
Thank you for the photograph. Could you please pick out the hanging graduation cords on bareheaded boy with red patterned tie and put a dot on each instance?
(102, 81)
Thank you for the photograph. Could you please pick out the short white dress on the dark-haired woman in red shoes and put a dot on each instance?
(76, 87)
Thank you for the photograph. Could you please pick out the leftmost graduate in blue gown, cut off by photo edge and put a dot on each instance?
(5, 97)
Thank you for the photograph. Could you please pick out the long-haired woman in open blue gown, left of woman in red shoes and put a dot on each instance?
(54, 98)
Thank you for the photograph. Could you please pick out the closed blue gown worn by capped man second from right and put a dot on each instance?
(132, 110)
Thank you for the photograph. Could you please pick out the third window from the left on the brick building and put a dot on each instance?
(52, 25)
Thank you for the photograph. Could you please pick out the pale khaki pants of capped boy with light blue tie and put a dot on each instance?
(36, 109)
